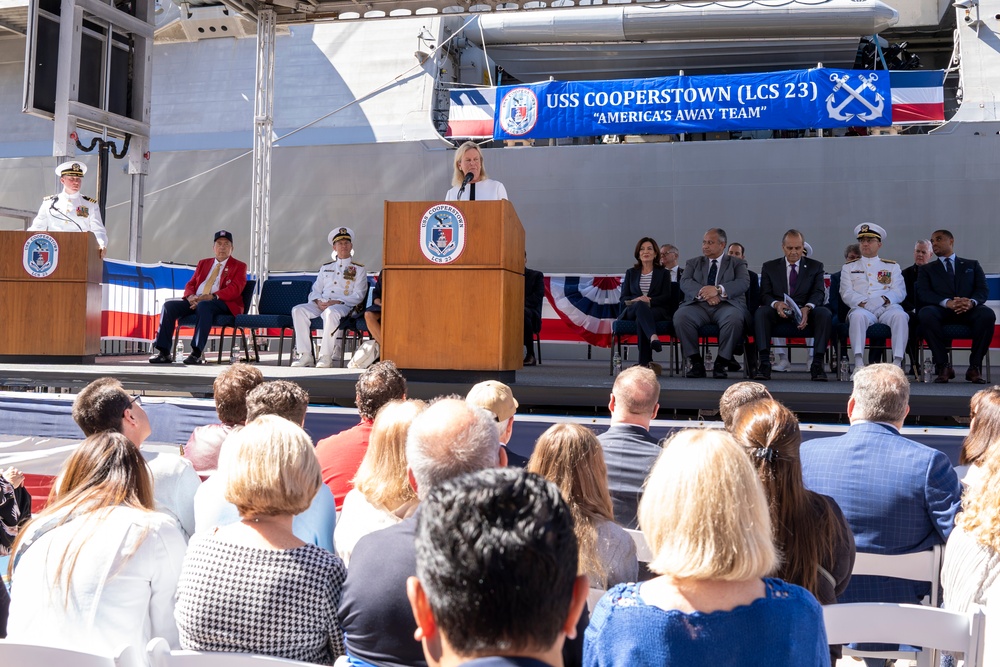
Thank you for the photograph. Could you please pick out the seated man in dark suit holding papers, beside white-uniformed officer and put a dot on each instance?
(803, 279)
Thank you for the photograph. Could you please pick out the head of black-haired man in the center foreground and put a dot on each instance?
(495, 580)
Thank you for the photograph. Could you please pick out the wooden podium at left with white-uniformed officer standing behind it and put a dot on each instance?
(55, 318)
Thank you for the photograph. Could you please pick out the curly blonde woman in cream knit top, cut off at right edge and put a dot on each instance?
(971, 572)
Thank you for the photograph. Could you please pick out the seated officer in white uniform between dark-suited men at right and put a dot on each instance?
(874, 289)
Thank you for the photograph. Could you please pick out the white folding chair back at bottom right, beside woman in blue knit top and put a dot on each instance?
(933, 629)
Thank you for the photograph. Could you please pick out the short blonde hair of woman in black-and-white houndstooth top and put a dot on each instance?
(274, 471)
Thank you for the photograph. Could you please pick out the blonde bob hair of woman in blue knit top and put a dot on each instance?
(703, 511)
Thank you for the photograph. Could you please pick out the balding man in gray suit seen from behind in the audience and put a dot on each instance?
(629, 449)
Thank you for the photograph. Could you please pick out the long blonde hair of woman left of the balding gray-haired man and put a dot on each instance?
(382, 477)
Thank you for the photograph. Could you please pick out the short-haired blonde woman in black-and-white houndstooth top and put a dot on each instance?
(253, 586)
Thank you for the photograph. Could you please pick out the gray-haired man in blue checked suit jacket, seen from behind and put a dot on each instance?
(898, 495)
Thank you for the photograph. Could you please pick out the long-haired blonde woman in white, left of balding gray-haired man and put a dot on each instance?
(382, 495)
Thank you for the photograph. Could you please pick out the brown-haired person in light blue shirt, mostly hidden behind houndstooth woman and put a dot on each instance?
(289, 401)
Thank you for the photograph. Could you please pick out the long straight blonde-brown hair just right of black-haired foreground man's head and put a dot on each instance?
(570, 456)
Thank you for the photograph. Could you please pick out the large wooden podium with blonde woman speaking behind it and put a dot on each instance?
(463, 312)
